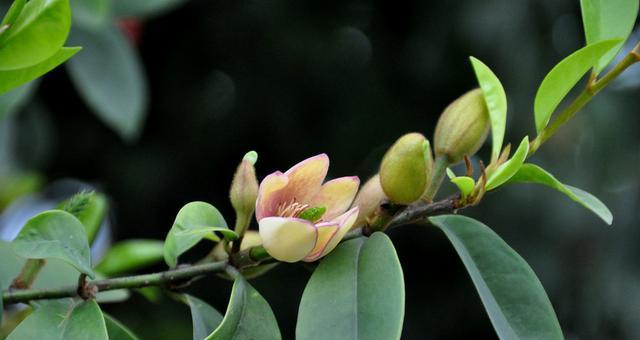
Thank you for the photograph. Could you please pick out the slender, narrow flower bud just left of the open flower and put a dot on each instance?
(244, 191)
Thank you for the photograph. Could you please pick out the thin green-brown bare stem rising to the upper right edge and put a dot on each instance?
(593, 87)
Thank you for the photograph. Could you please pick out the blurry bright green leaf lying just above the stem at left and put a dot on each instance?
(130, 255)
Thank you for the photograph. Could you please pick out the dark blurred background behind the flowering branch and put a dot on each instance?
(168, 95)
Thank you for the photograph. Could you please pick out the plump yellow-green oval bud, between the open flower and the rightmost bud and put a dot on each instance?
(405, 169)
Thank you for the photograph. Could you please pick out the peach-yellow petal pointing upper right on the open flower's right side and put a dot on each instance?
(336, 195)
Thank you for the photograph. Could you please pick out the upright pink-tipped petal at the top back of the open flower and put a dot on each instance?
(305, 179)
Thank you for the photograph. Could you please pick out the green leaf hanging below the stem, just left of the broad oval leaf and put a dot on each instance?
(248, 316)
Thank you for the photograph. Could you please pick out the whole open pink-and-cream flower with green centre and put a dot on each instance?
(299, 217)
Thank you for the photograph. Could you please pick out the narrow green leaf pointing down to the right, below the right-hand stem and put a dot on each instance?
(531, 173)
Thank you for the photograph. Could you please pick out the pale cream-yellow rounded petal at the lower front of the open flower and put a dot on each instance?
(287, 239)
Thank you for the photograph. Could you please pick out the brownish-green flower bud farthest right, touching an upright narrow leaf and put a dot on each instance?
(462, 127)
